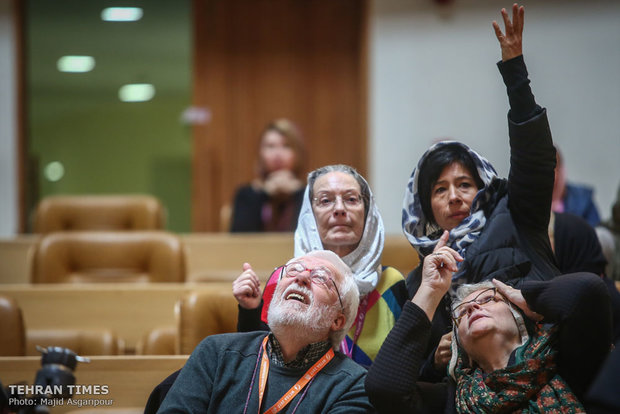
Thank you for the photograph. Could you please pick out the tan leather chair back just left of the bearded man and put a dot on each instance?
(203, 313)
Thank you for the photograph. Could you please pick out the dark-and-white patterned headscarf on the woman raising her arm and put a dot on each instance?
(418, 228)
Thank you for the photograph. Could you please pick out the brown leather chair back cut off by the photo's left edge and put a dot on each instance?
(12, 332)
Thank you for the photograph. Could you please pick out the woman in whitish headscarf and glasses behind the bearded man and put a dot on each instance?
(338, 213)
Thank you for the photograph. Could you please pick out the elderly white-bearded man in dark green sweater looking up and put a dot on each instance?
(296, 367)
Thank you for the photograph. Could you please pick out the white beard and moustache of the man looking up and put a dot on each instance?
(311, 322)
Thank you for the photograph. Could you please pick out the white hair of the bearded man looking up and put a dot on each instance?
(348, 292)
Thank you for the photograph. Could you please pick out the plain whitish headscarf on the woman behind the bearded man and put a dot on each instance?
(365, 260)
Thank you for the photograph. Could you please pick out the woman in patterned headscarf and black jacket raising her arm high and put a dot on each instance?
(499, 226)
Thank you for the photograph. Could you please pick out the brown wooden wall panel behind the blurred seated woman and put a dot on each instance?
(256, 60)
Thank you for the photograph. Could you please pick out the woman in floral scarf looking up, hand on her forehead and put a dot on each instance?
(536, 349)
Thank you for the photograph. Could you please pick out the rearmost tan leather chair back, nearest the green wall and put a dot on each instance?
(99, 212)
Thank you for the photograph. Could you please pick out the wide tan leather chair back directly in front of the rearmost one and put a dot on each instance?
(107, 256)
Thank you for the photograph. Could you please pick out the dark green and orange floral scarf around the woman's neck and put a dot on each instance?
(531, 385)
